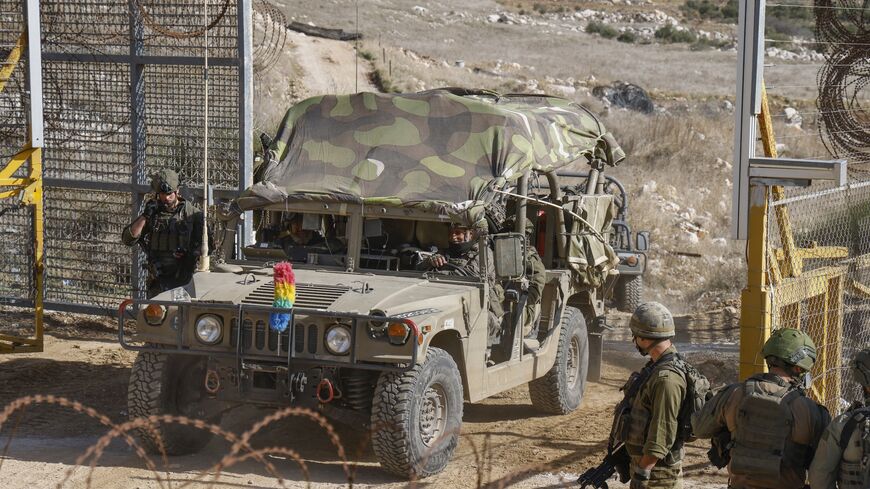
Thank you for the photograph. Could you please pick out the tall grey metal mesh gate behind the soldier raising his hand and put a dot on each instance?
(124, 94)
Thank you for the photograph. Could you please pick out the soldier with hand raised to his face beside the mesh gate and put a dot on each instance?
(169, 231)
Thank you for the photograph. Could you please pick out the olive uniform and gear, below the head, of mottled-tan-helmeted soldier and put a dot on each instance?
(653, 427)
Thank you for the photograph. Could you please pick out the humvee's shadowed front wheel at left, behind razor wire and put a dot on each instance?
(169, 384)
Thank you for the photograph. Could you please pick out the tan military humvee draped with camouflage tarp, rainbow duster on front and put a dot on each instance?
(356, 190)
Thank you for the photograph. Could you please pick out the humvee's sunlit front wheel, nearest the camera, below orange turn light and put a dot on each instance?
(416, 416)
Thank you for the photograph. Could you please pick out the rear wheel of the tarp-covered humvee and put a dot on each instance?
(560, 390)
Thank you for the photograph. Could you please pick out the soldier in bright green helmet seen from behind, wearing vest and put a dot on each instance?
(774, 427)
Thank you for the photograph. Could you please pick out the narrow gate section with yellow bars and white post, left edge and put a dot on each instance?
(21, 204)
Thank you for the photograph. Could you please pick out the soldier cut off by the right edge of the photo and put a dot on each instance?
(842, 459)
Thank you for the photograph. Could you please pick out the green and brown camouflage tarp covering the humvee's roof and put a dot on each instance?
(439, 149)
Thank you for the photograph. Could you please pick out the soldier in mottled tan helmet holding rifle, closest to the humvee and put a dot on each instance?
(651, 431)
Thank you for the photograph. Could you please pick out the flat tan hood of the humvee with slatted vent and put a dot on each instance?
(357, 293)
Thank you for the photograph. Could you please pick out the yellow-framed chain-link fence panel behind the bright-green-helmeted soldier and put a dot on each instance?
(819, 269)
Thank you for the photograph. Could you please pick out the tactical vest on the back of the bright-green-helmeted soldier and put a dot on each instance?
(762, 443)
